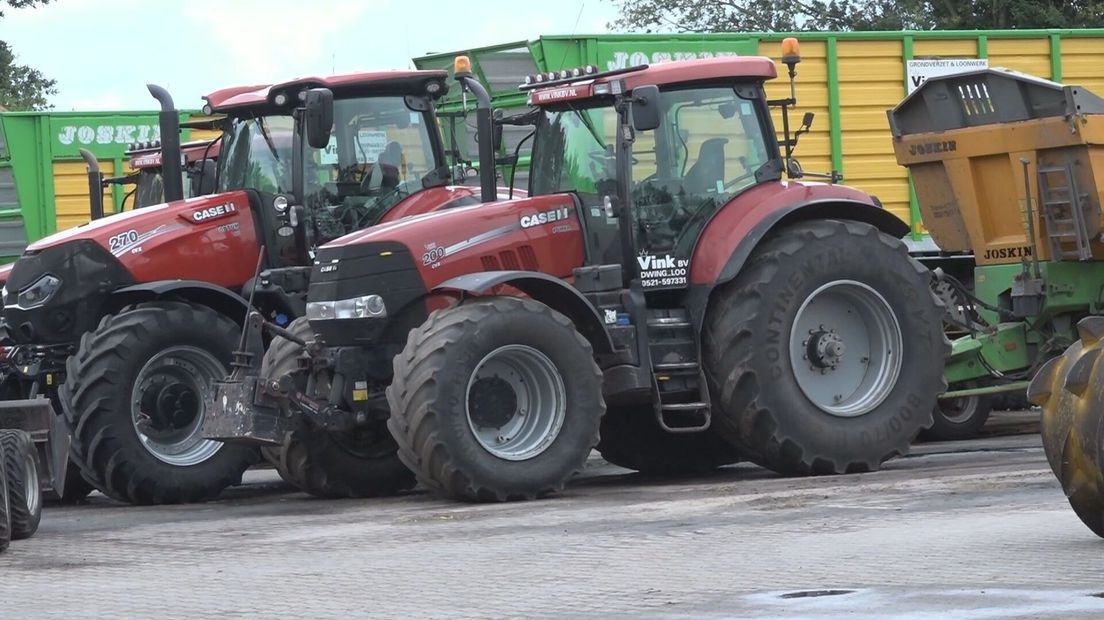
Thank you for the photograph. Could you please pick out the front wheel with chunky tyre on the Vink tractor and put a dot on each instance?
(496, 400)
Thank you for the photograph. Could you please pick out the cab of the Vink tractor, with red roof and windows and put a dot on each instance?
(713, 140)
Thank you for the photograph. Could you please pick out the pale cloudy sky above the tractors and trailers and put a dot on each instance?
(103, 52)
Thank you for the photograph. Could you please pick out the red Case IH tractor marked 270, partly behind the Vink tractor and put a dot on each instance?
(126, 322)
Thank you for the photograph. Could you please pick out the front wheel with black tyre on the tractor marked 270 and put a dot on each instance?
(134, 399)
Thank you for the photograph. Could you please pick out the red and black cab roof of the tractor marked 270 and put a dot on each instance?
(351, 84)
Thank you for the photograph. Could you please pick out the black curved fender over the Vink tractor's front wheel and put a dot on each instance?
(549, 291)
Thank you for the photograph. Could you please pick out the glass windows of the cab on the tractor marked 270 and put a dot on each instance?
(380, 152)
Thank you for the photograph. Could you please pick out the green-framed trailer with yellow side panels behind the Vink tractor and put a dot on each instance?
(848, 80)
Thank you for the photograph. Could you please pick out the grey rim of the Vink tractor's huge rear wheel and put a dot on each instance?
(845, 349)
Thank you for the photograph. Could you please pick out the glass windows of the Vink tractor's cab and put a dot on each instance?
(708, 148)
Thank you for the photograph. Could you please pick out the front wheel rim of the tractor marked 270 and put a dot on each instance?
(168, 405)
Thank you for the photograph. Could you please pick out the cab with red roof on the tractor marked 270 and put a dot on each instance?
(373, 144)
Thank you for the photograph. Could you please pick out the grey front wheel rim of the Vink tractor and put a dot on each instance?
(516, 403)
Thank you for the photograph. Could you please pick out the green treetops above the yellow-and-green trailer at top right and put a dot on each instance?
(768, 16)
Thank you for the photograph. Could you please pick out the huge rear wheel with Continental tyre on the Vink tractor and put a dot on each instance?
(825, 355)
